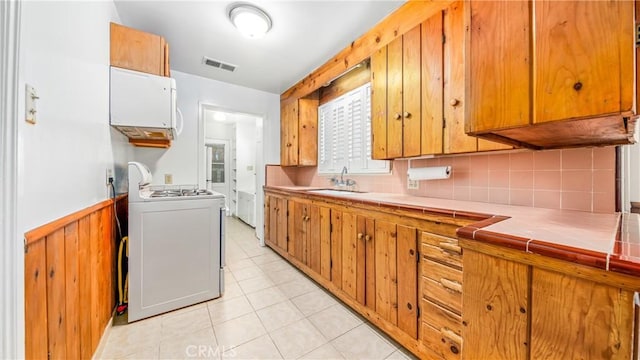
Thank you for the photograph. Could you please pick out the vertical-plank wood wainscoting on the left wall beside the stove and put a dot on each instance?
(69, 283)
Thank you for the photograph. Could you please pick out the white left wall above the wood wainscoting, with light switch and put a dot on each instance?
(64, 157)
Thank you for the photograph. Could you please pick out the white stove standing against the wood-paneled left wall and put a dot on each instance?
(176, 245)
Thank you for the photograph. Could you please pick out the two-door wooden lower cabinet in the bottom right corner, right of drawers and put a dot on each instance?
(525, 308)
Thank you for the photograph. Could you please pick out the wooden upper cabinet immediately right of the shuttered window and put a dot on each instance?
(418, 91)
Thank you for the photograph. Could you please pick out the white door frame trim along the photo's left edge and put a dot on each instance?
(11, 252)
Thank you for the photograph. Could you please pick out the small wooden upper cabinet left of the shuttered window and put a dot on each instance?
(299, 132)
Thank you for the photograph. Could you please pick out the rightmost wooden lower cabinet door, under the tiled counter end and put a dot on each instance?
(598, 318)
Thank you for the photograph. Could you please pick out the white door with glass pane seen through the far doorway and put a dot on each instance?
(218, 170)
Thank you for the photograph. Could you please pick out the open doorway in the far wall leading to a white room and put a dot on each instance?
(232, 144)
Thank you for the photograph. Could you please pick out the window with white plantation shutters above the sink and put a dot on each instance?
(344, 135)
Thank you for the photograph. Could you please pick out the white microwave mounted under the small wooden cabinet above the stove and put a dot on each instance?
(142, 105)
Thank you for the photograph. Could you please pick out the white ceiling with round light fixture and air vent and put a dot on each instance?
(305, 35)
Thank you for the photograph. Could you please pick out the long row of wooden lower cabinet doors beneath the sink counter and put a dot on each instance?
(368, 259)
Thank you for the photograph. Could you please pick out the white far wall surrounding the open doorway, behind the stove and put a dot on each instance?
(183, 158)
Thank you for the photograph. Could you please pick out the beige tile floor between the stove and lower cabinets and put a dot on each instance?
(269, 310)
